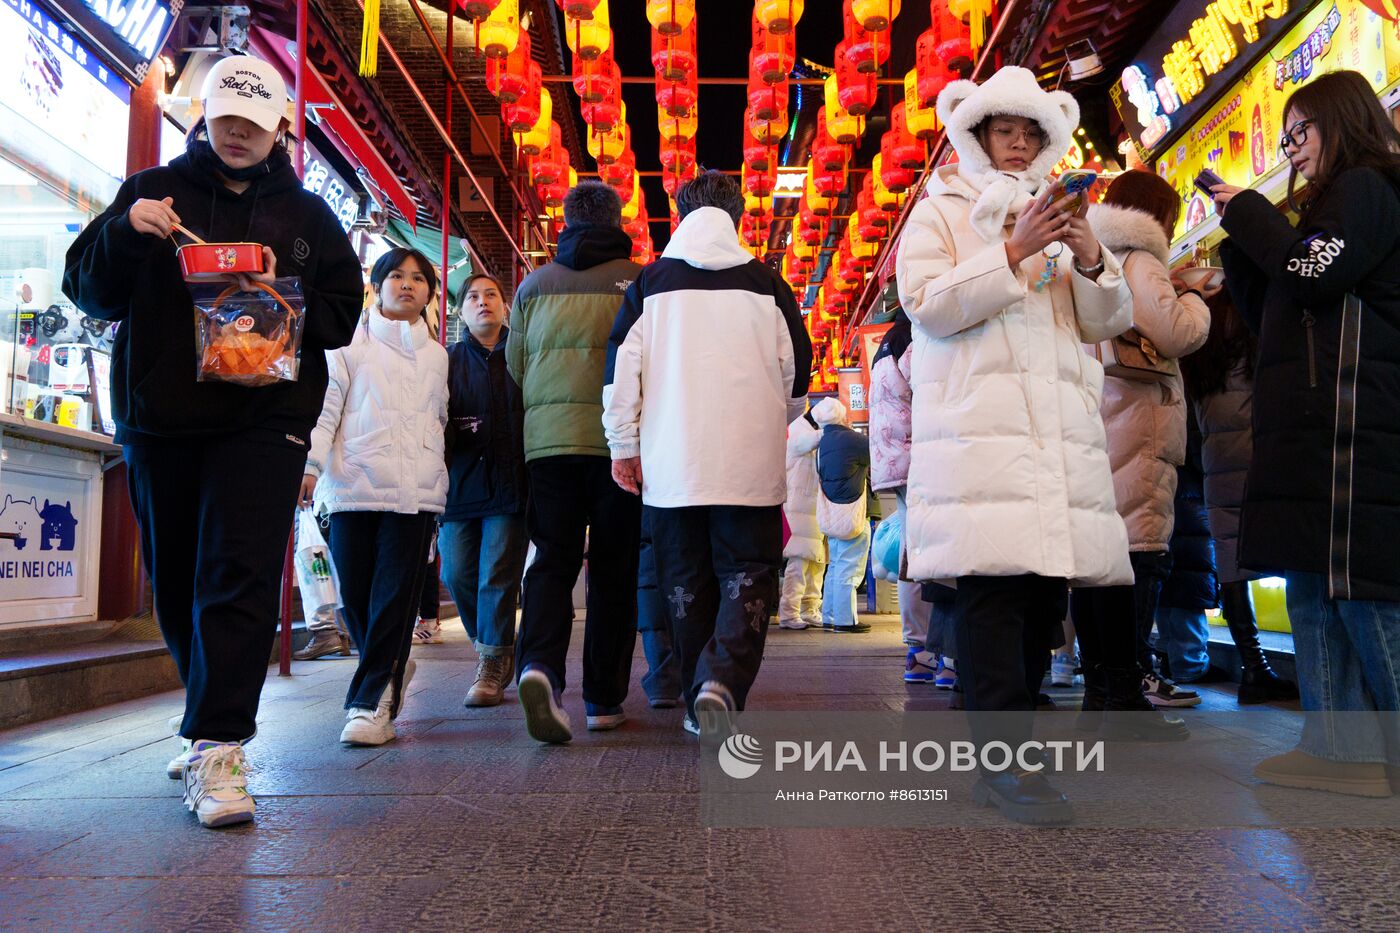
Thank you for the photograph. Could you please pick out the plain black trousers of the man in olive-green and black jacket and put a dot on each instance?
(572, 497)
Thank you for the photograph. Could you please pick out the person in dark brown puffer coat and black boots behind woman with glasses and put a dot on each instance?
(1220, 382)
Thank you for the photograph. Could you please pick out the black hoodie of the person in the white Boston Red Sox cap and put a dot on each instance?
(115, 274)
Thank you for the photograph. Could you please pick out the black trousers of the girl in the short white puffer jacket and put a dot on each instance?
(381, 560)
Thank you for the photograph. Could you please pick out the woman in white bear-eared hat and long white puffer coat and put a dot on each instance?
(1010, 491)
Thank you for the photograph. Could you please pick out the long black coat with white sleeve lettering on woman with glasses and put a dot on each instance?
(1325, 300)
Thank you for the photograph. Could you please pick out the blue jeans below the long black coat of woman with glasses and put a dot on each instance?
(1349, 662)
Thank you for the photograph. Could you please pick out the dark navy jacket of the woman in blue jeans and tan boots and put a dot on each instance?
(486, 434)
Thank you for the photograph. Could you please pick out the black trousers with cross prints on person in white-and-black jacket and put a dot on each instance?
(717, 568)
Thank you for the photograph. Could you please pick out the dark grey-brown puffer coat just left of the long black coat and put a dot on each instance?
(1227, 446)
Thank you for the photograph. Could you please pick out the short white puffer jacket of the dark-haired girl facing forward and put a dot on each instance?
(379, 445)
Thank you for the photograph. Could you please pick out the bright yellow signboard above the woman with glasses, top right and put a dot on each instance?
(1238, 138)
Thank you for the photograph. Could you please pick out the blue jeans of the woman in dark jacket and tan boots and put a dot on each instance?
(482, 565)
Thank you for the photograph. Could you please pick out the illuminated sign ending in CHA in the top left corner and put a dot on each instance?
(129, 34)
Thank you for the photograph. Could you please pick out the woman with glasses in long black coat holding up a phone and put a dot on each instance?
(1322, 502)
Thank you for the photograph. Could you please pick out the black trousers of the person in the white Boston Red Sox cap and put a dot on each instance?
(215, 516)
